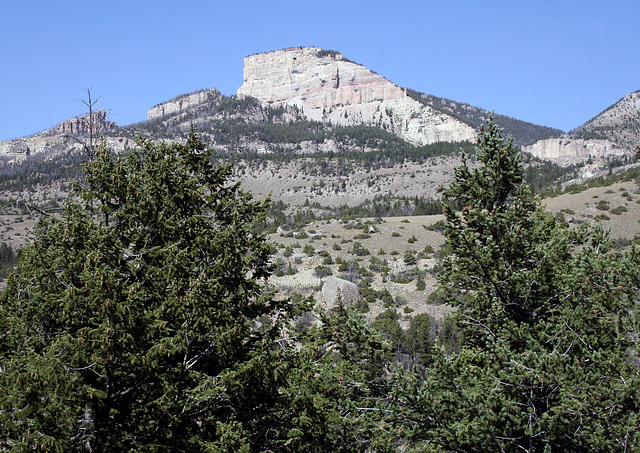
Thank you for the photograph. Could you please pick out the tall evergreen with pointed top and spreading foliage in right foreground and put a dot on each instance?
(549, 323)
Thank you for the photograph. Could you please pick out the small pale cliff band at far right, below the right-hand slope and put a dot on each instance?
(569, 150)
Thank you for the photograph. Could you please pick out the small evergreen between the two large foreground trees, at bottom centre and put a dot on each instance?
(338, 392)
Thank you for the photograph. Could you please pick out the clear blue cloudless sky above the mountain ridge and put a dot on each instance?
(555, 63)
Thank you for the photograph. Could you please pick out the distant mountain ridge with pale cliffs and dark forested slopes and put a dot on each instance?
(312, 104)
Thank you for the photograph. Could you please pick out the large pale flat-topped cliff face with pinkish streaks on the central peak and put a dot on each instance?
(326, 87)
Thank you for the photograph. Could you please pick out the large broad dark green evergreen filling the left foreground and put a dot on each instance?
(137, 320)
